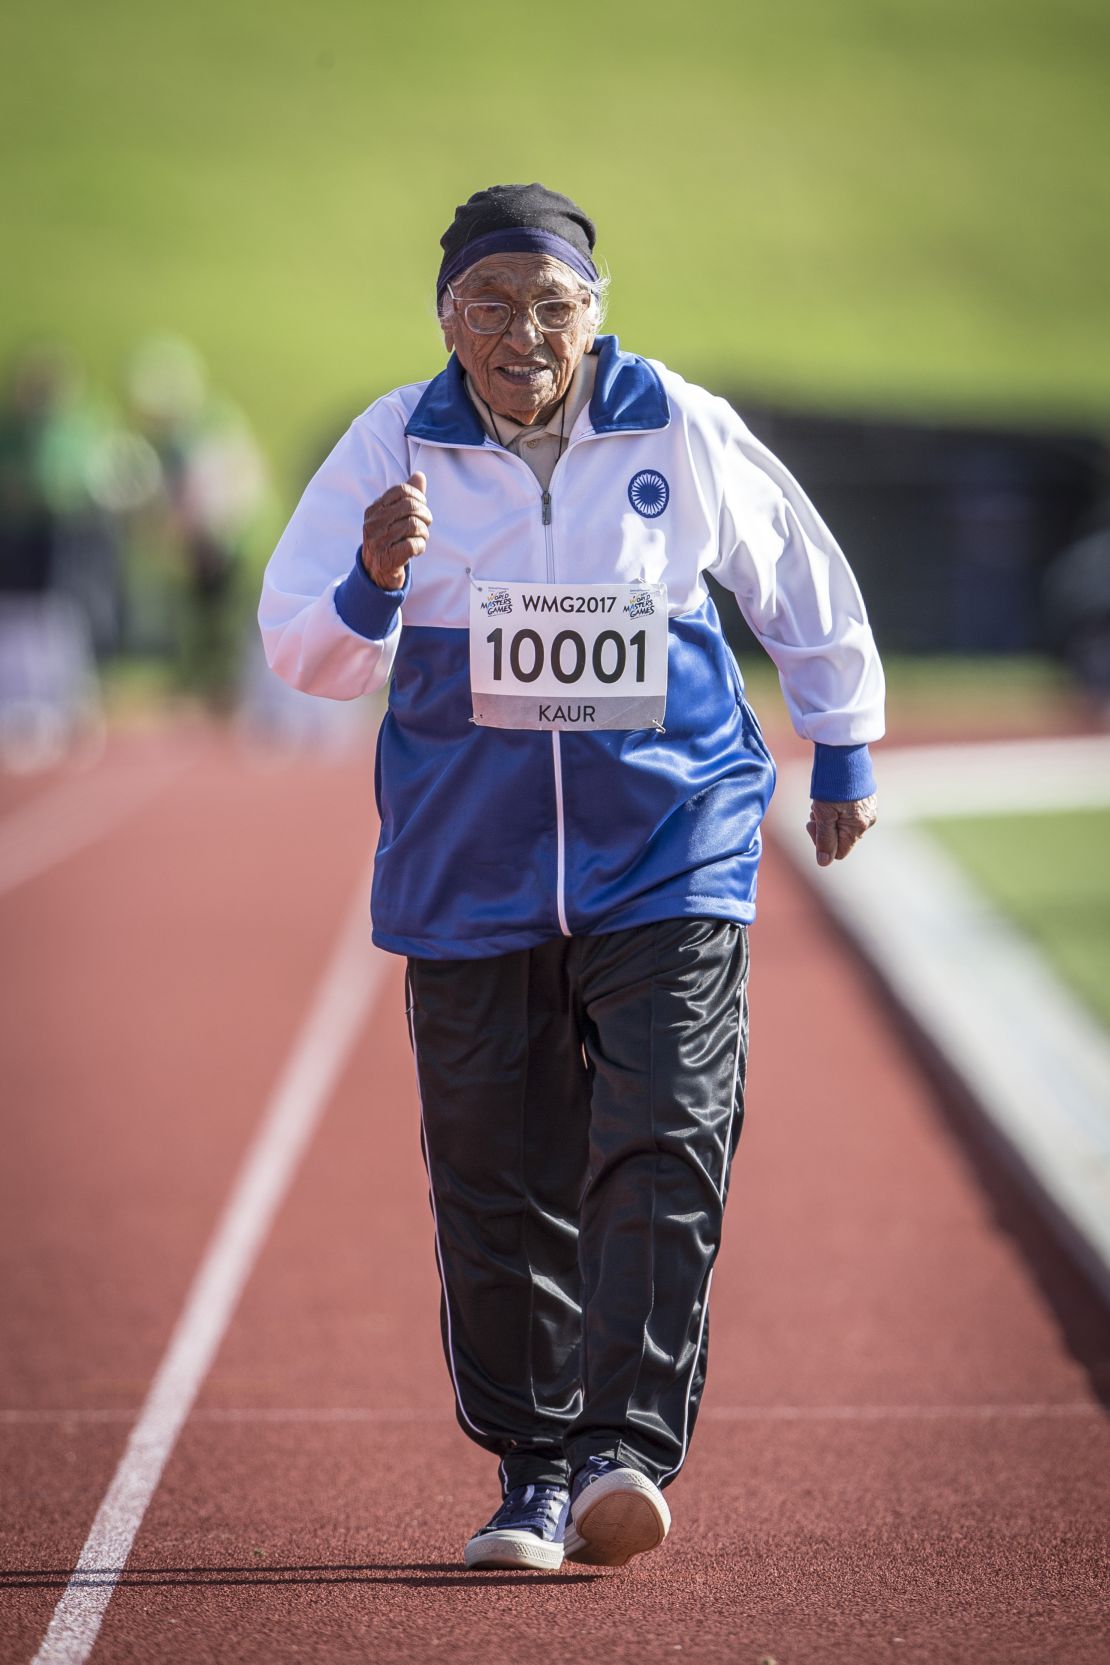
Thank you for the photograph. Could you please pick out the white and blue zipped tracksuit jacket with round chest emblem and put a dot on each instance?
(497, 840)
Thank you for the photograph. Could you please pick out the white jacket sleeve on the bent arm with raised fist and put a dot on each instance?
(327, 629)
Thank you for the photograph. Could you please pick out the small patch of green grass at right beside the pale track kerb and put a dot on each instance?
(1051, 875)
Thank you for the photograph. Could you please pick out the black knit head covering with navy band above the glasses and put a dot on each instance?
(518, 219)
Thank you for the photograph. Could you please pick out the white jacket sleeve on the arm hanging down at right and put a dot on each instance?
(798, 595)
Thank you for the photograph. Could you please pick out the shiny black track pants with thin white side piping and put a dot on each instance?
(582, 1103)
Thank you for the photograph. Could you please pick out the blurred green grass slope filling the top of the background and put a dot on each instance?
(833, 202)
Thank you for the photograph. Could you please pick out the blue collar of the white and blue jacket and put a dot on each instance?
(628, 397)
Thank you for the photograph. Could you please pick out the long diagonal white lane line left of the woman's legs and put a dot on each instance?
(290, 1120)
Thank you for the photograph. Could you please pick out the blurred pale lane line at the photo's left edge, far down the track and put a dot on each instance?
(72, 815)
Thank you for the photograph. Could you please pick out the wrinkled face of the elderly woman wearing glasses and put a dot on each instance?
(520, 374)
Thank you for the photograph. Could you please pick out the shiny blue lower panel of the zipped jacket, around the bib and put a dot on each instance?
(657, 825)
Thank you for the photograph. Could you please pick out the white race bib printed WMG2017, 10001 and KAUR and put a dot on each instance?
(570, 657)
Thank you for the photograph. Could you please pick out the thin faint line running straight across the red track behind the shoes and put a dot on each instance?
(340, 1414)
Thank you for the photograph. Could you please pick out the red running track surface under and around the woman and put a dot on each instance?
(903, 1454)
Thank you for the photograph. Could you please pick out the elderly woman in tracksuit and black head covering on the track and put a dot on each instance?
(572, 787)
